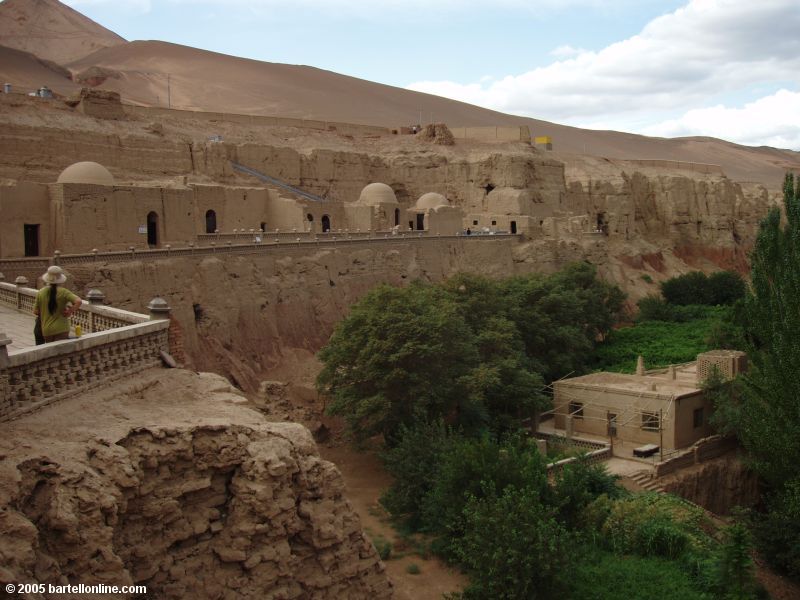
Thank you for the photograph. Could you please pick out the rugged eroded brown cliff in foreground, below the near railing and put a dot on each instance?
(168, 481)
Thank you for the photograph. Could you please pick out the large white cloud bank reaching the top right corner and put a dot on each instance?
(678, 62)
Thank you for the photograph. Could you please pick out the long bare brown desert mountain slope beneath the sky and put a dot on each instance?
(155, 73)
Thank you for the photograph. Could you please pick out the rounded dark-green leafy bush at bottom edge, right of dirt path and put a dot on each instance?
(513, 548)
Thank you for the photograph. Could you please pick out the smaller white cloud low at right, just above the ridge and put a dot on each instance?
(772, 121)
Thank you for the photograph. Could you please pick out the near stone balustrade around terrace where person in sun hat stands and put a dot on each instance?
(116, 344)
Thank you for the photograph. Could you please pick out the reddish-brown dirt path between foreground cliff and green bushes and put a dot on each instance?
(366, 480)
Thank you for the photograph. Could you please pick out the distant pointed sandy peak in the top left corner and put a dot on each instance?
(51, 30)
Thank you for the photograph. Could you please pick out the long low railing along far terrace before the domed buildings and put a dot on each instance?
(245, 244)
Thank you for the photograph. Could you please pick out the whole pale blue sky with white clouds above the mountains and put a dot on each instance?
(723, 68)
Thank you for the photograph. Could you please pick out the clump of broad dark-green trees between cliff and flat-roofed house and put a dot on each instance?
(473, 350)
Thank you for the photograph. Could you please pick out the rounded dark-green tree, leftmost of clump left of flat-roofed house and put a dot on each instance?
(398, 356)
